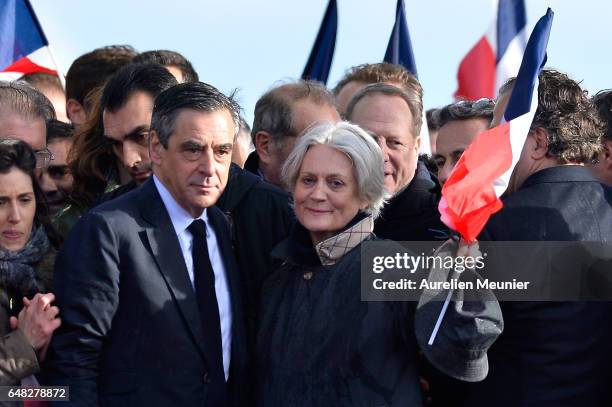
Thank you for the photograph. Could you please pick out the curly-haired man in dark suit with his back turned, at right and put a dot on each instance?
(552, 353)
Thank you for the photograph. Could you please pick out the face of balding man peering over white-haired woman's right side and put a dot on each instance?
(388, 118)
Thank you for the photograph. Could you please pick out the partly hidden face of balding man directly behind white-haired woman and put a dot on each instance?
(304, 114)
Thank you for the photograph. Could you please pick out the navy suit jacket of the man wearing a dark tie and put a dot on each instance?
(131, 332)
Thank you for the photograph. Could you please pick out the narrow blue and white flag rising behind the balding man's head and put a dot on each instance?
(399, 51)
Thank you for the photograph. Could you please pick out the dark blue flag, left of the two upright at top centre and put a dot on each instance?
(319, 63)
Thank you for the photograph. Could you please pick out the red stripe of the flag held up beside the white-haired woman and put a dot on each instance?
(468, 197)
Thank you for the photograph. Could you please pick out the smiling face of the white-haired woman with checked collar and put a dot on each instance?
(326, 195)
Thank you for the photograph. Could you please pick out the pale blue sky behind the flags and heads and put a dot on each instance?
(251, 45)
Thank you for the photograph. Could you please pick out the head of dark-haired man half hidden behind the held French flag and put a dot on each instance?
(459, 123)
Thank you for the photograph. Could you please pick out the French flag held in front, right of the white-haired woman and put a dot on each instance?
(482, 174)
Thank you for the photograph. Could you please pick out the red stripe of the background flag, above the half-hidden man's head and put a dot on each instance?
(476, 74)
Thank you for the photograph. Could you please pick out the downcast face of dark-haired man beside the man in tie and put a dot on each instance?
(128, 130)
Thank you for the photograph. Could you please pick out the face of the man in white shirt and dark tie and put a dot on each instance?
(196, 163)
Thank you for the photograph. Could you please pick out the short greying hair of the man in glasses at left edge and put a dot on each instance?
(21, 98)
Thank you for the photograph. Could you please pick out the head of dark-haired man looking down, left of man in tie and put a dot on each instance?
(127, 105)
